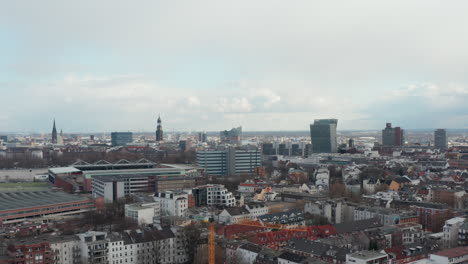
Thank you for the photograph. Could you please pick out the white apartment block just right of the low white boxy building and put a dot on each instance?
(172, 203)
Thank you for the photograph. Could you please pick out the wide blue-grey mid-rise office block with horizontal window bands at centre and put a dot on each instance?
(229, 162)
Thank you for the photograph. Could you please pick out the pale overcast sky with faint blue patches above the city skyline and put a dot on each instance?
(209, 65)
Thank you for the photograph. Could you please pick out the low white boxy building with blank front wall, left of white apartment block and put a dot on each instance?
(143, 213)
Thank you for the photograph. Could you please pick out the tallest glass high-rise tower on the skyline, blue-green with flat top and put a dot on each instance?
(323, 135)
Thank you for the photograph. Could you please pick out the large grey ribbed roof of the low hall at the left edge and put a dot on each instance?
(22, 200)
